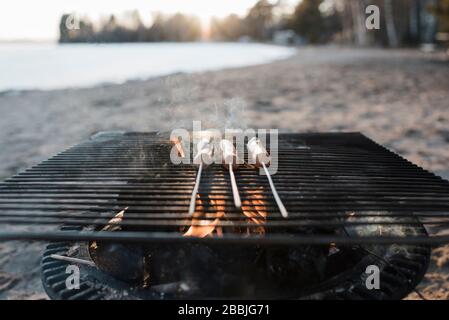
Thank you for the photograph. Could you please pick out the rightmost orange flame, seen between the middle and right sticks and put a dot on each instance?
(255, 210)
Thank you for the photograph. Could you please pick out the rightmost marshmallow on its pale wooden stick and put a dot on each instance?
(260, 158)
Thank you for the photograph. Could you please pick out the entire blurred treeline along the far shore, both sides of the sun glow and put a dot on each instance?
(402, 22)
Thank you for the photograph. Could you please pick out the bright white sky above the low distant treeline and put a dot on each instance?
(39, 19)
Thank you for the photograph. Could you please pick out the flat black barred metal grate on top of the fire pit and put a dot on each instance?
(335, 184)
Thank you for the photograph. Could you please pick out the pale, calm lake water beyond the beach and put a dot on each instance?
(51, 66)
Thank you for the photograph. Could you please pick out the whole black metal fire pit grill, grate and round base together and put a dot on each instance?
(351, 203)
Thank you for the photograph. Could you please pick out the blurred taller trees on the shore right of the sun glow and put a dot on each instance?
(402, 22)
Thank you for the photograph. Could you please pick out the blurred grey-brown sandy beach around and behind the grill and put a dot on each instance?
(400, 98)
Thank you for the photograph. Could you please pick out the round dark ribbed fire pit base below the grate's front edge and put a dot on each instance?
(401, 269)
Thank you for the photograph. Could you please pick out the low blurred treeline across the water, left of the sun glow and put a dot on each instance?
(130, 28)
